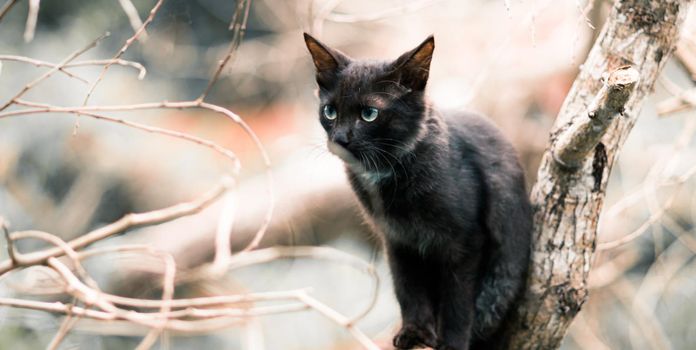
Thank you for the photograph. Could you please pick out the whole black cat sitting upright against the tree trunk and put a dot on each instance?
(446, 194)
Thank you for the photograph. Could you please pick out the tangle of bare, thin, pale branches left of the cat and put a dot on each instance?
(63, 260)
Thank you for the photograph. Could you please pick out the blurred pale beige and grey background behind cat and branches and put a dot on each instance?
(512, 60)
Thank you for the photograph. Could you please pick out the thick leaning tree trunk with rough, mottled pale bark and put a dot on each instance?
(593, 123)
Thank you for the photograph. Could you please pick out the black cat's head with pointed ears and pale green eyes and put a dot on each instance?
(373, 111)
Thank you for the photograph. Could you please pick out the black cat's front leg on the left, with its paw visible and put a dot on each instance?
(412, 282)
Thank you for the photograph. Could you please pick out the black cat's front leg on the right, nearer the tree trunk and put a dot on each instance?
(457, 286)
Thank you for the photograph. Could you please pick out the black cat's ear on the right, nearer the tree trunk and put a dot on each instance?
(413, 67)
